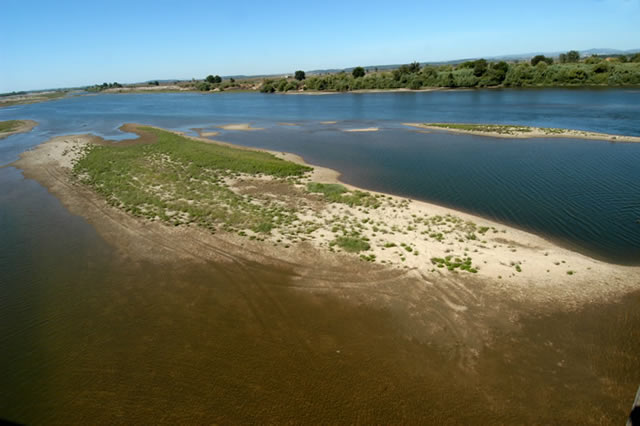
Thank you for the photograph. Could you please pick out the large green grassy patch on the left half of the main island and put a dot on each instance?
(179, 180)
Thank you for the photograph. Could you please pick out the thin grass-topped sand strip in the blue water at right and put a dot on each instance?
(519, 131)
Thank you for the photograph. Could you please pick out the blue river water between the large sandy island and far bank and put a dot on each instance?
(583, 194)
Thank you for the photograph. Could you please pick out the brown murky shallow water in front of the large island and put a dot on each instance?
(90, 337)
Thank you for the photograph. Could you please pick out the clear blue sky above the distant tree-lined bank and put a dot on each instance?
(45, 44)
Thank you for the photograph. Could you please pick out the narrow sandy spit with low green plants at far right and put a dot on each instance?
(535, 132)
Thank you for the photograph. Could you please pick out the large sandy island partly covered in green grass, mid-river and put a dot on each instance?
(204, 199)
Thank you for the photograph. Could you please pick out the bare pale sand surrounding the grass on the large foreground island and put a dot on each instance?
(405, 237)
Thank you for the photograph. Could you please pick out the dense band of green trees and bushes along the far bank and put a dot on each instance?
(568, 70)
